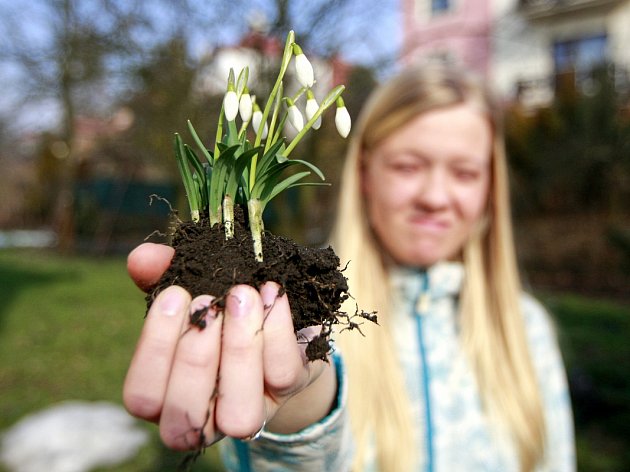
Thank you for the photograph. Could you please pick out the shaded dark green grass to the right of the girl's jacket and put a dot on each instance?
(594, 337)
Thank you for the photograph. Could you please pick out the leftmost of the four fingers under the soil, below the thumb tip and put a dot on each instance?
(148, 374)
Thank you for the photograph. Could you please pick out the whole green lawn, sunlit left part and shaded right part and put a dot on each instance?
(68, 327)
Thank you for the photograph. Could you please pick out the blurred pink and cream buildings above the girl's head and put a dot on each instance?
(522, 46)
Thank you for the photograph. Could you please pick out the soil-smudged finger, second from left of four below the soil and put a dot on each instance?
(187, 419)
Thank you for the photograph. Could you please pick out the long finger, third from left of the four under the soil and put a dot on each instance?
(240, 409)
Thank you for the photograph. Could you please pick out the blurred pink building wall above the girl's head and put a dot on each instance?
(461, 34)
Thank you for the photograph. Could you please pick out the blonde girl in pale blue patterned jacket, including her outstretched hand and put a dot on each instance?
(463, 371)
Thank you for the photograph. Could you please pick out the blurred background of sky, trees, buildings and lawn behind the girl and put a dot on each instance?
(93, 90)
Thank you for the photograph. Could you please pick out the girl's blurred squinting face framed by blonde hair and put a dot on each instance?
(426, 185)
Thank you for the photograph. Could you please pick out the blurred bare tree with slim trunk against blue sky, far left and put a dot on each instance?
(73, 57)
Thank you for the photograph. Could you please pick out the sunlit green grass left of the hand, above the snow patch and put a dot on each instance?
(68, 327)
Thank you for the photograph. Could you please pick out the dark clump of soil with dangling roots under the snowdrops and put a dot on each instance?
(205, 263)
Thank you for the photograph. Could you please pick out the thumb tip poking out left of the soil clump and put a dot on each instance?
(148, 262)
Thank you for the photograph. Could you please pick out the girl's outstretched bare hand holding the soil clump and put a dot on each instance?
(244, 370)
